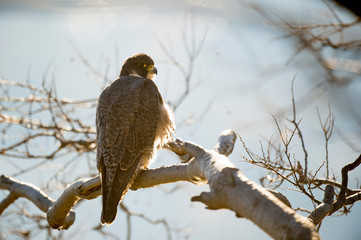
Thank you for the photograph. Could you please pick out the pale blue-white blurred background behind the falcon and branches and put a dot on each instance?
(221, 64)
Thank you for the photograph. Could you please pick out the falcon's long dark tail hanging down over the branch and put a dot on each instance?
(114, 193)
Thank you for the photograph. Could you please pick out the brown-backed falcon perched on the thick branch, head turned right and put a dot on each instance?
(132, 121)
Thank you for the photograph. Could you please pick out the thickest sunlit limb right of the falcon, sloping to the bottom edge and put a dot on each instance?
(232, 190)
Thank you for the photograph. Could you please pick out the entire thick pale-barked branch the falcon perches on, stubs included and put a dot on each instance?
(229, 188)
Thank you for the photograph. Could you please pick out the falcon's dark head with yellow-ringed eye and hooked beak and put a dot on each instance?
(139, 65)
